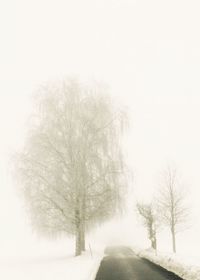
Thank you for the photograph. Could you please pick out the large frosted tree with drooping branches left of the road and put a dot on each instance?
(71, 168)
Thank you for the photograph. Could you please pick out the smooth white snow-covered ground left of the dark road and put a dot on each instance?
(80, 268)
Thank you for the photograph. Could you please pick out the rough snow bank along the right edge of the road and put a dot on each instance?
(172, 263)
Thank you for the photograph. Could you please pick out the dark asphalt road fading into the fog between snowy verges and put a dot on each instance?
(122, 264)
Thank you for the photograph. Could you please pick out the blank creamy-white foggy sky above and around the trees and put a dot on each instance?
(149, 54)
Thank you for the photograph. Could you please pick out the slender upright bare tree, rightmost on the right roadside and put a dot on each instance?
(171, 202)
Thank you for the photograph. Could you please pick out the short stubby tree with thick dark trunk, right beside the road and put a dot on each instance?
(147, 212)
